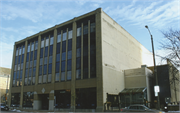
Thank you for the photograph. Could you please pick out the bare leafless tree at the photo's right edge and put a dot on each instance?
(171, 45)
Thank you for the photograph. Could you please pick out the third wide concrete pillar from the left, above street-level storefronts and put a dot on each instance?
(38, 58)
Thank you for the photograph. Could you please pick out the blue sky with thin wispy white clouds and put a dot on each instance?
(22, 18)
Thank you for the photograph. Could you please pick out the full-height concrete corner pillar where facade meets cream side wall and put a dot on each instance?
(99, 74)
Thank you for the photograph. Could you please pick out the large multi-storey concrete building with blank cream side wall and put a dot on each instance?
(74, 65)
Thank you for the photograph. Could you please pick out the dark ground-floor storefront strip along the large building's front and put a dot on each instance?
(57, 100)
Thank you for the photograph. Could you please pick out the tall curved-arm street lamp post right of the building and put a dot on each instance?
(155, 69)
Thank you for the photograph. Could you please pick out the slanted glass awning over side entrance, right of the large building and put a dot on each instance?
(133, 90)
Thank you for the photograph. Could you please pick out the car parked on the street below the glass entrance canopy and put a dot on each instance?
(139, 108)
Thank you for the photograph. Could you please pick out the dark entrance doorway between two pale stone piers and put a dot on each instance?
(45, 101)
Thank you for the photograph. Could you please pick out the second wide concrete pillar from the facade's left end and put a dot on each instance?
(23, 75)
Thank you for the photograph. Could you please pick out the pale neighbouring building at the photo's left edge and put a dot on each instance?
(4, 83)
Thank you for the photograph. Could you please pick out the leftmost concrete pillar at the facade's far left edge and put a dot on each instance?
(12, 74)
